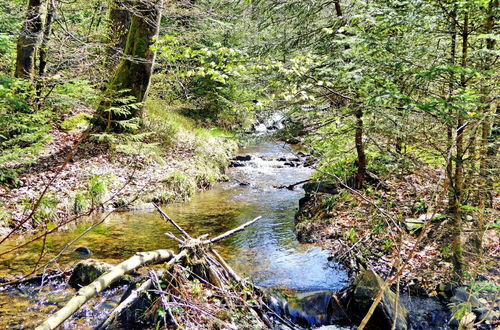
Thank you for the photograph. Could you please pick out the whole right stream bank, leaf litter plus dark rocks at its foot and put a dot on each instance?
(361, 239)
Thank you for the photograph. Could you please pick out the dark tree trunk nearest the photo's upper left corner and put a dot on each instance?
(28, 41)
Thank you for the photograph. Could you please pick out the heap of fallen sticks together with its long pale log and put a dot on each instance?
(201, 260)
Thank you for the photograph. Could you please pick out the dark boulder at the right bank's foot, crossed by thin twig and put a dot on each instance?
(367, 285)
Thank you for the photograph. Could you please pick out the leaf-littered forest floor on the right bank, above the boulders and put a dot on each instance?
(356, 232)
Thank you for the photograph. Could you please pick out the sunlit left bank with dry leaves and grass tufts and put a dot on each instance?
(104, 176)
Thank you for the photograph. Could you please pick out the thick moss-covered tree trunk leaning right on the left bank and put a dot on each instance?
(132, 76)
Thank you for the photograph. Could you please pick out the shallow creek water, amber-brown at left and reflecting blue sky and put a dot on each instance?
(267, 252)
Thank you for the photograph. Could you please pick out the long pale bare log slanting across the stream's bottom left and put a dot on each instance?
(102, 282)
